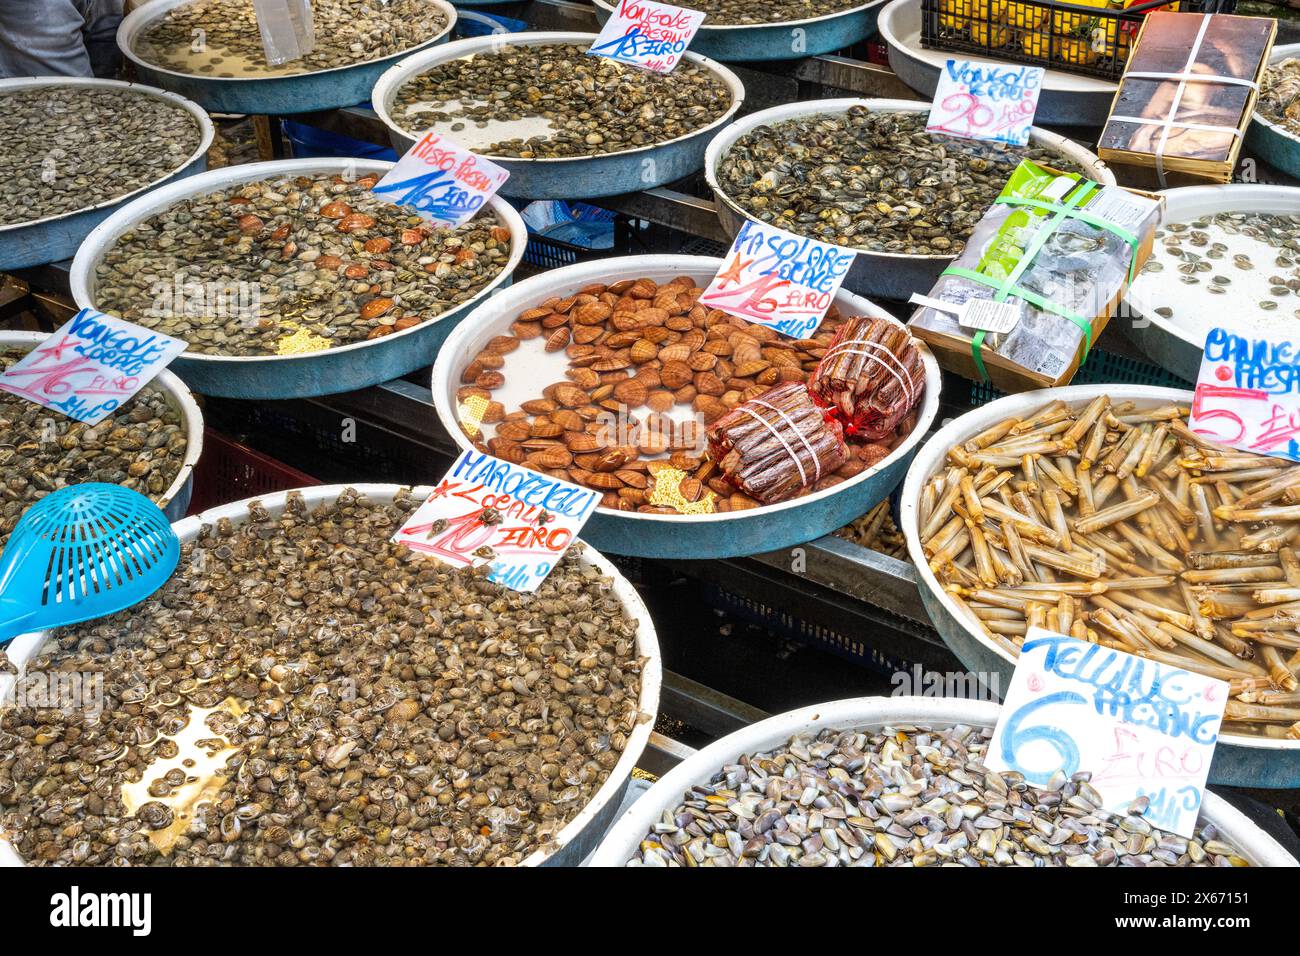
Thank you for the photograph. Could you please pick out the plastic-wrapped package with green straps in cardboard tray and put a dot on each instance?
(1058, 250)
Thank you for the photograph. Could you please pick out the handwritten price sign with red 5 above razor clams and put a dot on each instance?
(1249, 393)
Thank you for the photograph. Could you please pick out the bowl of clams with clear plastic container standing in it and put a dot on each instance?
(213, 51)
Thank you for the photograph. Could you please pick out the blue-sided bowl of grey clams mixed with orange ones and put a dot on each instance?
(293, 279)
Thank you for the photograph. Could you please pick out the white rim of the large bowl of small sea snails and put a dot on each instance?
(580, 837)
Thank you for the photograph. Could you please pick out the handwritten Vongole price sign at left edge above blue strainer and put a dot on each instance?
(92, 366)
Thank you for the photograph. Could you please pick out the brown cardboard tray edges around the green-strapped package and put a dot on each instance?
(954, 348)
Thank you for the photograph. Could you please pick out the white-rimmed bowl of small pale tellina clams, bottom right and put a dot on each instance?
(870, 782)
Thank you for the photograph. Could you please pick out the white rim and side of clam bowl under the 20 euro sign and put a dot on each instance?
(885, 275)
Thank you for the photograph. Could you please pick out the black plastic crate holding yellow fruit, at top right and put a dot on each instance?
(1076, 38)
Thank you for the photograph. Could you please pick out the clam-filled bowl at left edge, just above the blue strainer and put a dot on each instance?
(150, 445)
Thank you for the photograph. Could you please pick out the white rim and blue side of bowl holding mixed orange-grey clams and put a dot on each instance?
(343, 369)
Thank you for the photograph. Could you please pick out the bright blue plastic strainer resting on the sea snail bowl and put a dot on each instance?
(80, 553)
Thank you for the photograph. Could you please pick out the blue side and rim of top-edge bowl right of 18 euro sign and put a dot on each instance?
(785, 40)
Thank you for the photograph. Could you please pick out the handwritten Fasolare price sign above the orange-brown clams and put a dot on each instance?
(778, 279)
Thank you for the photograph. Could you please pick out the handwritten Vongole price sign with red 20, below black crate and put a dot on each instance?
(985, 101)
